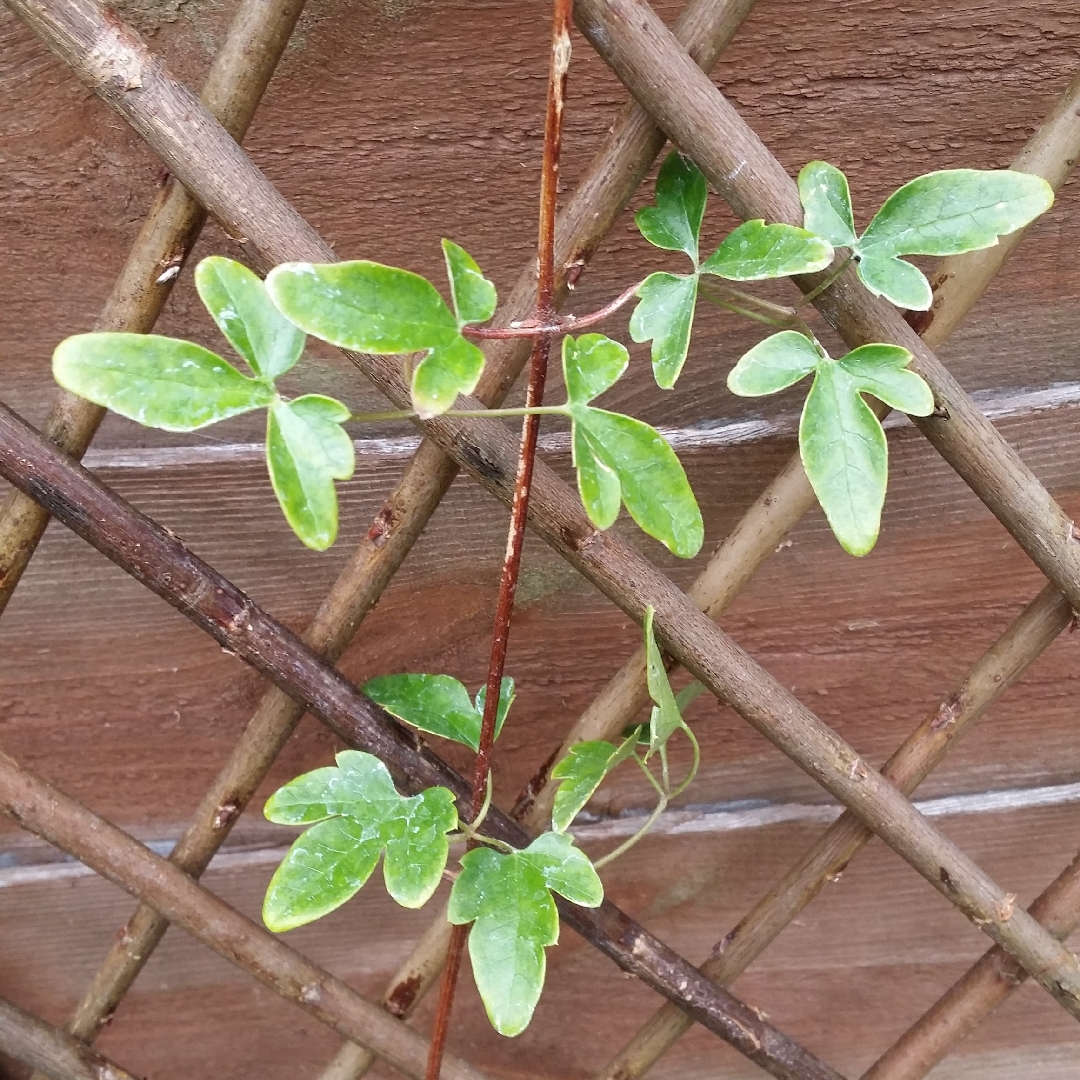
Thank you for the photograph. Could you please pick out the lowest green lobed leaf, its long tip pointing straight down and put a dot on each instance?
(508, 899)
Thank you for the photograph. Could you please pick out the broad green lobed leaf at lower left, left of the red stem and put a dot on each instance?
(362, 817)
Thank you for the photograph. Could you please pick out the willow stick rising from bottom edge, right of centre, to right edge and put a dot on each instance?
(1041, 623)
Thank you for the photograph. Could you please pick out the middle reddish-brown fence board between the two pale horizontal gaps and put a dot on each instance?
(868, 643)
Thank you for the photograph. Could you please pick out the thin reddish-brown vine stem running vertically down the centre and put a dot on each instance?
(523, 480)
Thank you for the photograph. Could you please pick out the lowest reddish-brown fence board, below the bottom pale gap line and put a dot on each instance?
(859, 965)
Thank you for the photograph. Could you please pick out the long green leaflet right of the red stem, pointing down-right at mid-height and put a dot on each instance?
(652, 481)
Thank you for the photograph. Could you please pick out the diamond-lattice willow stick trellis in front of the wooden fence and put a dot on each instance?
(674, 99)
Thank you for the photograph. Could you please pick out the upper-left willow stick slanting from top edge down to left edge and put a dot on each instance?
(241, 71)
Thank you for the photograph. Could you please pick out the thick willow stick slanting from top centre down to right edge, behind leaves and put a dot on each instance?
(655, 69)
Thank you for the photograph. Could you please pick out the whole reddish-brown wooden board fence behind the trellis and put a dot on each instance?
(390, 126)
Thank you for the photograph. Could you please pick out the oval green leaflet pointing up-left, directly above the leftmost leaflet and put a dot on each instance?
(246, 315)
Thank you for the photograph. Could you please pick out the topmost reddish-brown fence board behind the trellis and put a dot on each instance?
(426, 143)
